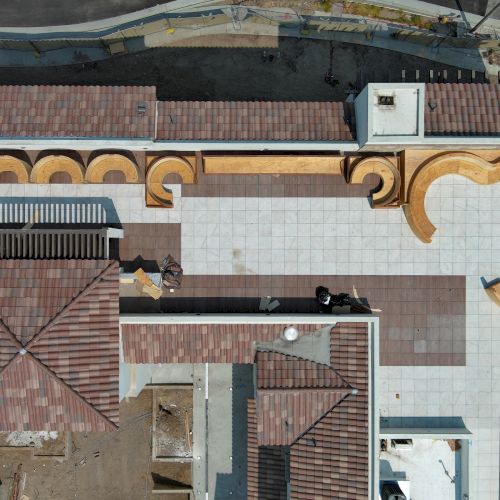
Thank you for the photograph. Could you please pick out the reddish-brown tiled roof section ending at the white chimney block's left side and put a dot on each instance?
(254, 121)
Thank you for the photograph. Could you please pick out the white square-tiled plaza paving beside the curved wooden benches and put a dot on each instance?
(279, 236)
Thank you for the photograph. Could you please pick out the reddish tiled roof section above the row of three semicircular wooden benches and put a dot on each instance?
(76, 111)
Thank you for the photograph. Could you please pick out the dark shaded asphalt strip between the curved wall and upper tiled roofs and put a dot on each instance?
(296, 72)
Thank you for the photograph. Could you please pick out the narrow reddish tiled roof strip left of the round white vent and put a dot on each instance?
(226, 343)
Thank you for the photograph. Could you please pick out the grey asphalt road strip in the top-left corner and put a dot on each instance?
(16, 13)
